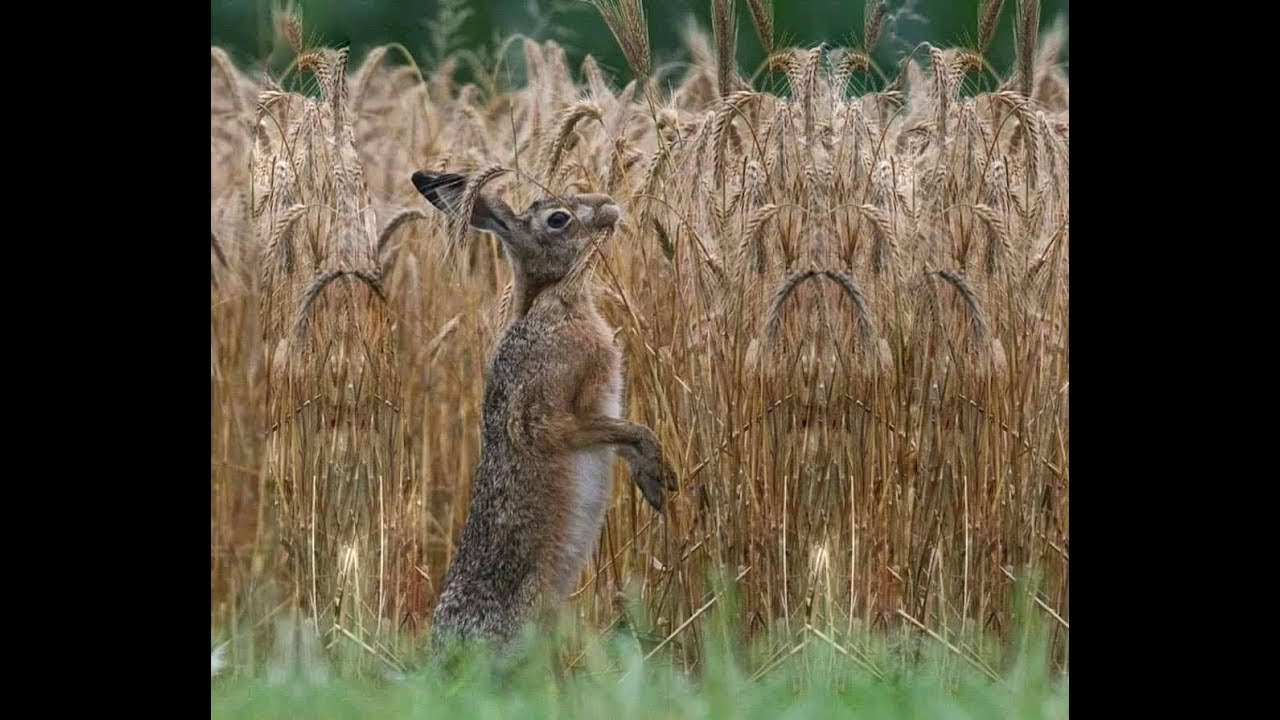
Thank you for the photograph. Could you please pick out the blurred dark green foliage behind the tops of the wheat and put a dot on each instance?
(474, 30)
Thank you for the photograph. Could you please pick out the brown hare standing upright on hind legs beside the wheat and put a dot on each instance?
(552, 422)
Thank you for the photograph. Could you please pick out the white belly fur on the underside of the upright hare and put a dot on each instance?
(593, 482)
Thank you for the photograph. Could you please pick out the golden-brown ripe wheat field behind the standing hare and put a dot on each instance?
(844, 312)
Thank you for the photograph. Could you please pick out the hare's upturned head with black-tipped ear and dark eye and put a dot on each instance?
(546, 240)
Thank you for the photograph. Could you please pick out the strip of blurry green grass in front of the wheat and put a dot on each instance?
(833, 675)
